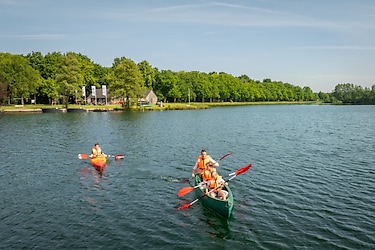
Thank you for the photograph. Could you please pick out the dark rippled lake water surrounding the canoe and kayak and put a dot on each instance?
(311, 185)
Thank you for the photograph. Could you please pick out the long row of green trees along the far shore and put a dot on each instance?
(57, 77)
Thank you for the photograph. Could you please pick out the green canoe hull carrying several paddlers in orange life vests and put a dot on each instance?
(222, 207)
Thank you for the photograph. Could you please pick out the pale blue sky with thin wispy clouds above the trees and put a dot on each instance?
(318, 43)
